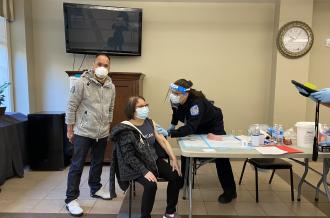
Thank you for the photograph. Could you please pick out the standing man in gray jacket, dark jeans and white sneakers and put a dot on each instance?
(88, 118)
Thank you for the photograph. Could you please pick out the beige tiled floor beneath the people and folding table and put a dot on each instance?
(44, 192)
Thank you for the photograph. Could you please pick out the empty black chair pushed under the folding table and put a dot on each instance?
(268, 164)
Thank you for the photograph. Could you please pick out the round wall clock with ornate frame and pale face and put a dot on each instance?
(295, 39)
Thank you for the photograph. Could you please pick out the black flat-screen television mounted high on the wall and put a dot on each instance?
(91, 29)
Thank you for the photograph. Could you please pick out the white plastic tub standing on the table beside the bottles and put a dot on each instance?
(305, 134)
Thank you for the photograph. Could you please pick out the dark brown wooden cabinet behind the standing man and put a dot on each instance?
(127, 85)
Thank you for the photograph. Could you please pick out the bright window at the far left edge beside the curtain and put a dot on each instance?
(4, 62)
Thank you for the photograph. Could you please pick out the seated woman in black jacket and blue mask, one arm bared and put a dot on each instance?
(134, 142)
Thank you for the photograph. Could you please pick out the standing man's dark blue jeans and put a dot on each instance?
(81, 146)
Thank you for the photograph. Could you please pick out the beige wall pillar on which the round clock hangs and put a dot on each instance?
(289, 106)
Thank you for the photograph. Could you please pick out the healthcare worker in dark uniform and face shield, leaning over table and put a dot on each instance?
(200, 116)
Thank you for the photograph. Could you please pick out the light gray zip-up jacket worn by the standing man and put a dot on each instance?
(90, 107)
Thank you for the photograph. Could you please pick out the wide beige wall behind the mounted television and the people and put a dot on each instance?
(224, 48)
